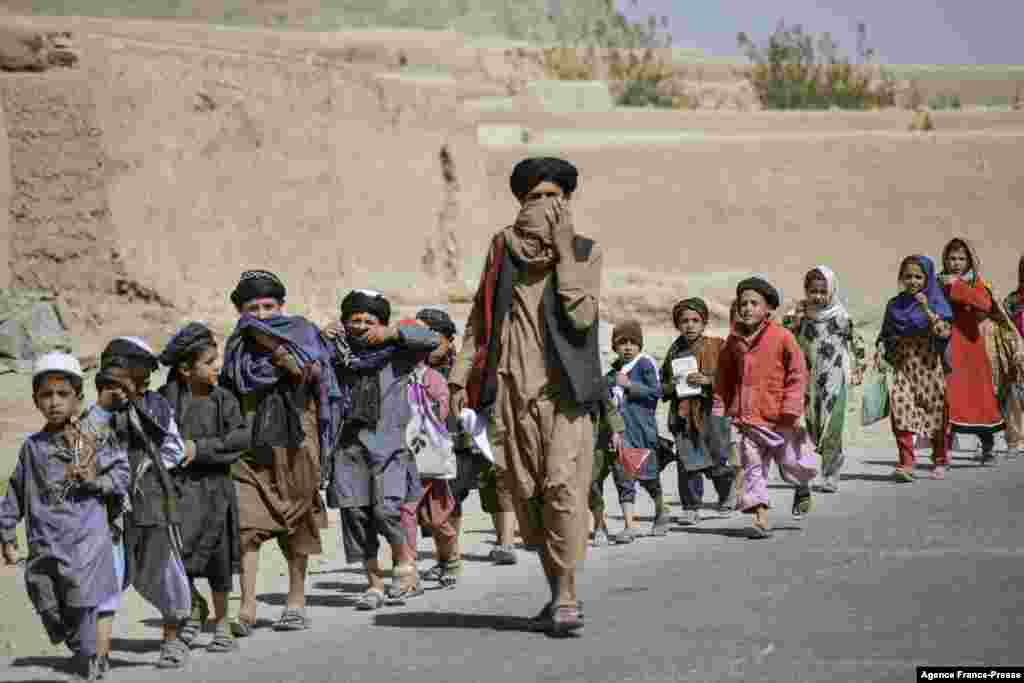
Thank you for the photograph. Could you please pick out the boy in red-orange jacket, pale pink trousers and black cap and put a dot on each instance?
(760, 383)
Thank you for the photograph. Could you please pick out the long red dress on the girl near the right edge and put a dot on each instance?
(973, 405)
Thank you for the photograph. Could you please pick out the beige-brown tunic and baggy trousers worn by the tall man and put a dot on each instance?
(543, 442)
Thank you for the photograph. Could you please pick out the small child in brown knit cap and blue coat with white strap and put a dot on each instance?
(636, 390)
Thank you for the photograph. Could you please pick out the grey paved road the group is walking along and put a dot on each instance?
(881, 578)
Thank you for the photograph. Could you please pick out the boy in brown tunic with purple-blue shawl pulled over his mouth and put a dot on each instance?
(278, 367)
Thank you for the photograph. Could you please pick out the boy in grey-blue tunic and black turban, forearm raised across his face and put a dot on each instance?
(375, 474)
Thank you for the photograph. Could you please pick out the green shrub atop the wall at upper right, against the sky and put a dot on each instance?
(795, 70)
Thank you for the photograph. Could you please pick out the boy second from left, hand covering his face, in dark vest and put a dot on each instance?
(145, 422)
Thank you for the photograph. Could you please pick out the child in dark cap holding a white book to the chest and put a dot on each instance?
(702, 442)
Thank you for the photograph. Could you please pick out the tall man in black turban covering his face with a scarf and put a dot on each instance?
(530, 362)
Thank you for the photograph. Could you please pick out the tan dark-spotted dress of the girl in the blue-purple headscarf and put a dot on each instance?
(917, 388)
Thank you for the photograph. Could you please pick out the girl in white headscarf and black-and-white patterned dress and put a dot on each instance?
(835, 358)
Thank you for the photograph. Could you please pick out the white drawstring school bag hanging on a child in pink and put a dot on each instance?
(426, 437)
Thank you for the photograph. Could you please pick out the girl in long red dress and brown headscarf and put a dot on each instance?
(970, 394)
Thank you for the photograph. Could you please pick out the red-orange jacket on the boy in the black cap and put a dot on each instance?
(761, 381)
